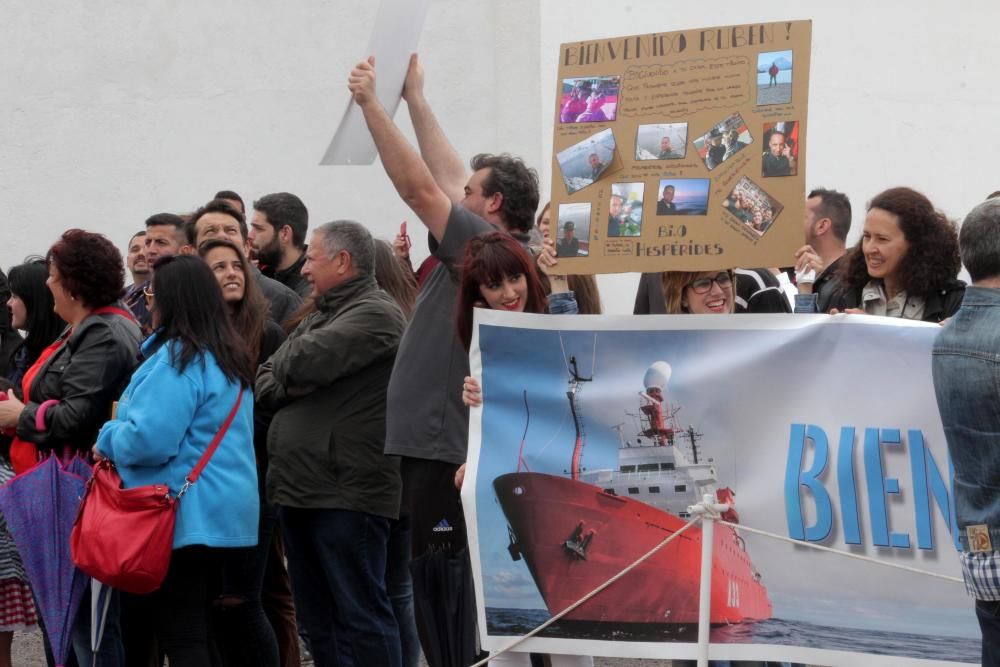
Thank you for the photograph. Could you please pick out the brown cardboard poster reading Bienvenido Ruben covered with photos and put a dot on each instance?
(688, 147)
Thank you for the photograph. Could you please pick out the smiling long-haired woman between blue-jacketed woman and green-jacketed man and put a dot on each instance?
(246, 636)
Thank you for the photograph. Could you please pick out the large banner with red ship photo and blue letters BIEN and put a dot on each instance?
(597, 433)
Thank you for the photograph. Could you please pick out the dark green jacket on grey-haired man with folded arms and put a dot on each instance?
(326, 385)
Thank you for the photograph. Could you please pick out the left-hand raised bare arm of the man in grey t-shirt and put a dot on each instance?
(405, 168)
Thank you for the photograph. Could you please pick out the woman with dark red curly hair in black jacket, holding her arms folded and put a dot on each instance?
(66, 395)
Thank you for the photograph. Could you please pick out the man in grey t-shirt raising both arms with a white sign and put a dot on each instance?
(427, 424)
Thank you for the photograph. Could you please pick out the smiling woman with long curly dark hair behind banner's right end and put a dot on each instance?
(906, 263)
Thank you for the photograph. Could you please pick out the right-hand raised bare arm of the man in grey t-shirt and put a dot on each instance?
(444, 162)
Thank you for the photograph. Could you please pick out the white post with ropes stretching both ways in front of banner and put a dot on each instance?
(708, 512)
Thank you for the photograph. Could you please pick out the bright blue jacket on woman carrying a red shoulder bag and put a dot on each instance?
(165, 421)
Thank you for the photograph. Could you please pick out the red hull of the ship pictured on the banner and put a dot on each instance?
(546, 511)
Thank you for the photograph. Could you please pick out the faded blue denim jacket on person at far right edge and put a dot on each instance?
(966, 364)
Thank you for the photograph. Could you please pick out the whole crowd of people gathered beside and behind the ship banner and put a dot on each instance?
(346, 396)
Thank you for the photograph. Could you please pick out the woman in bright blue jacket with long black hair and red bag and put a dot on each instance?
(171, 410)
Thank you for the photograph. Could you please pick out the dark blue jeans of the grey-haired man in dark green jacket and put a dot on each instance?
(336, 559)
